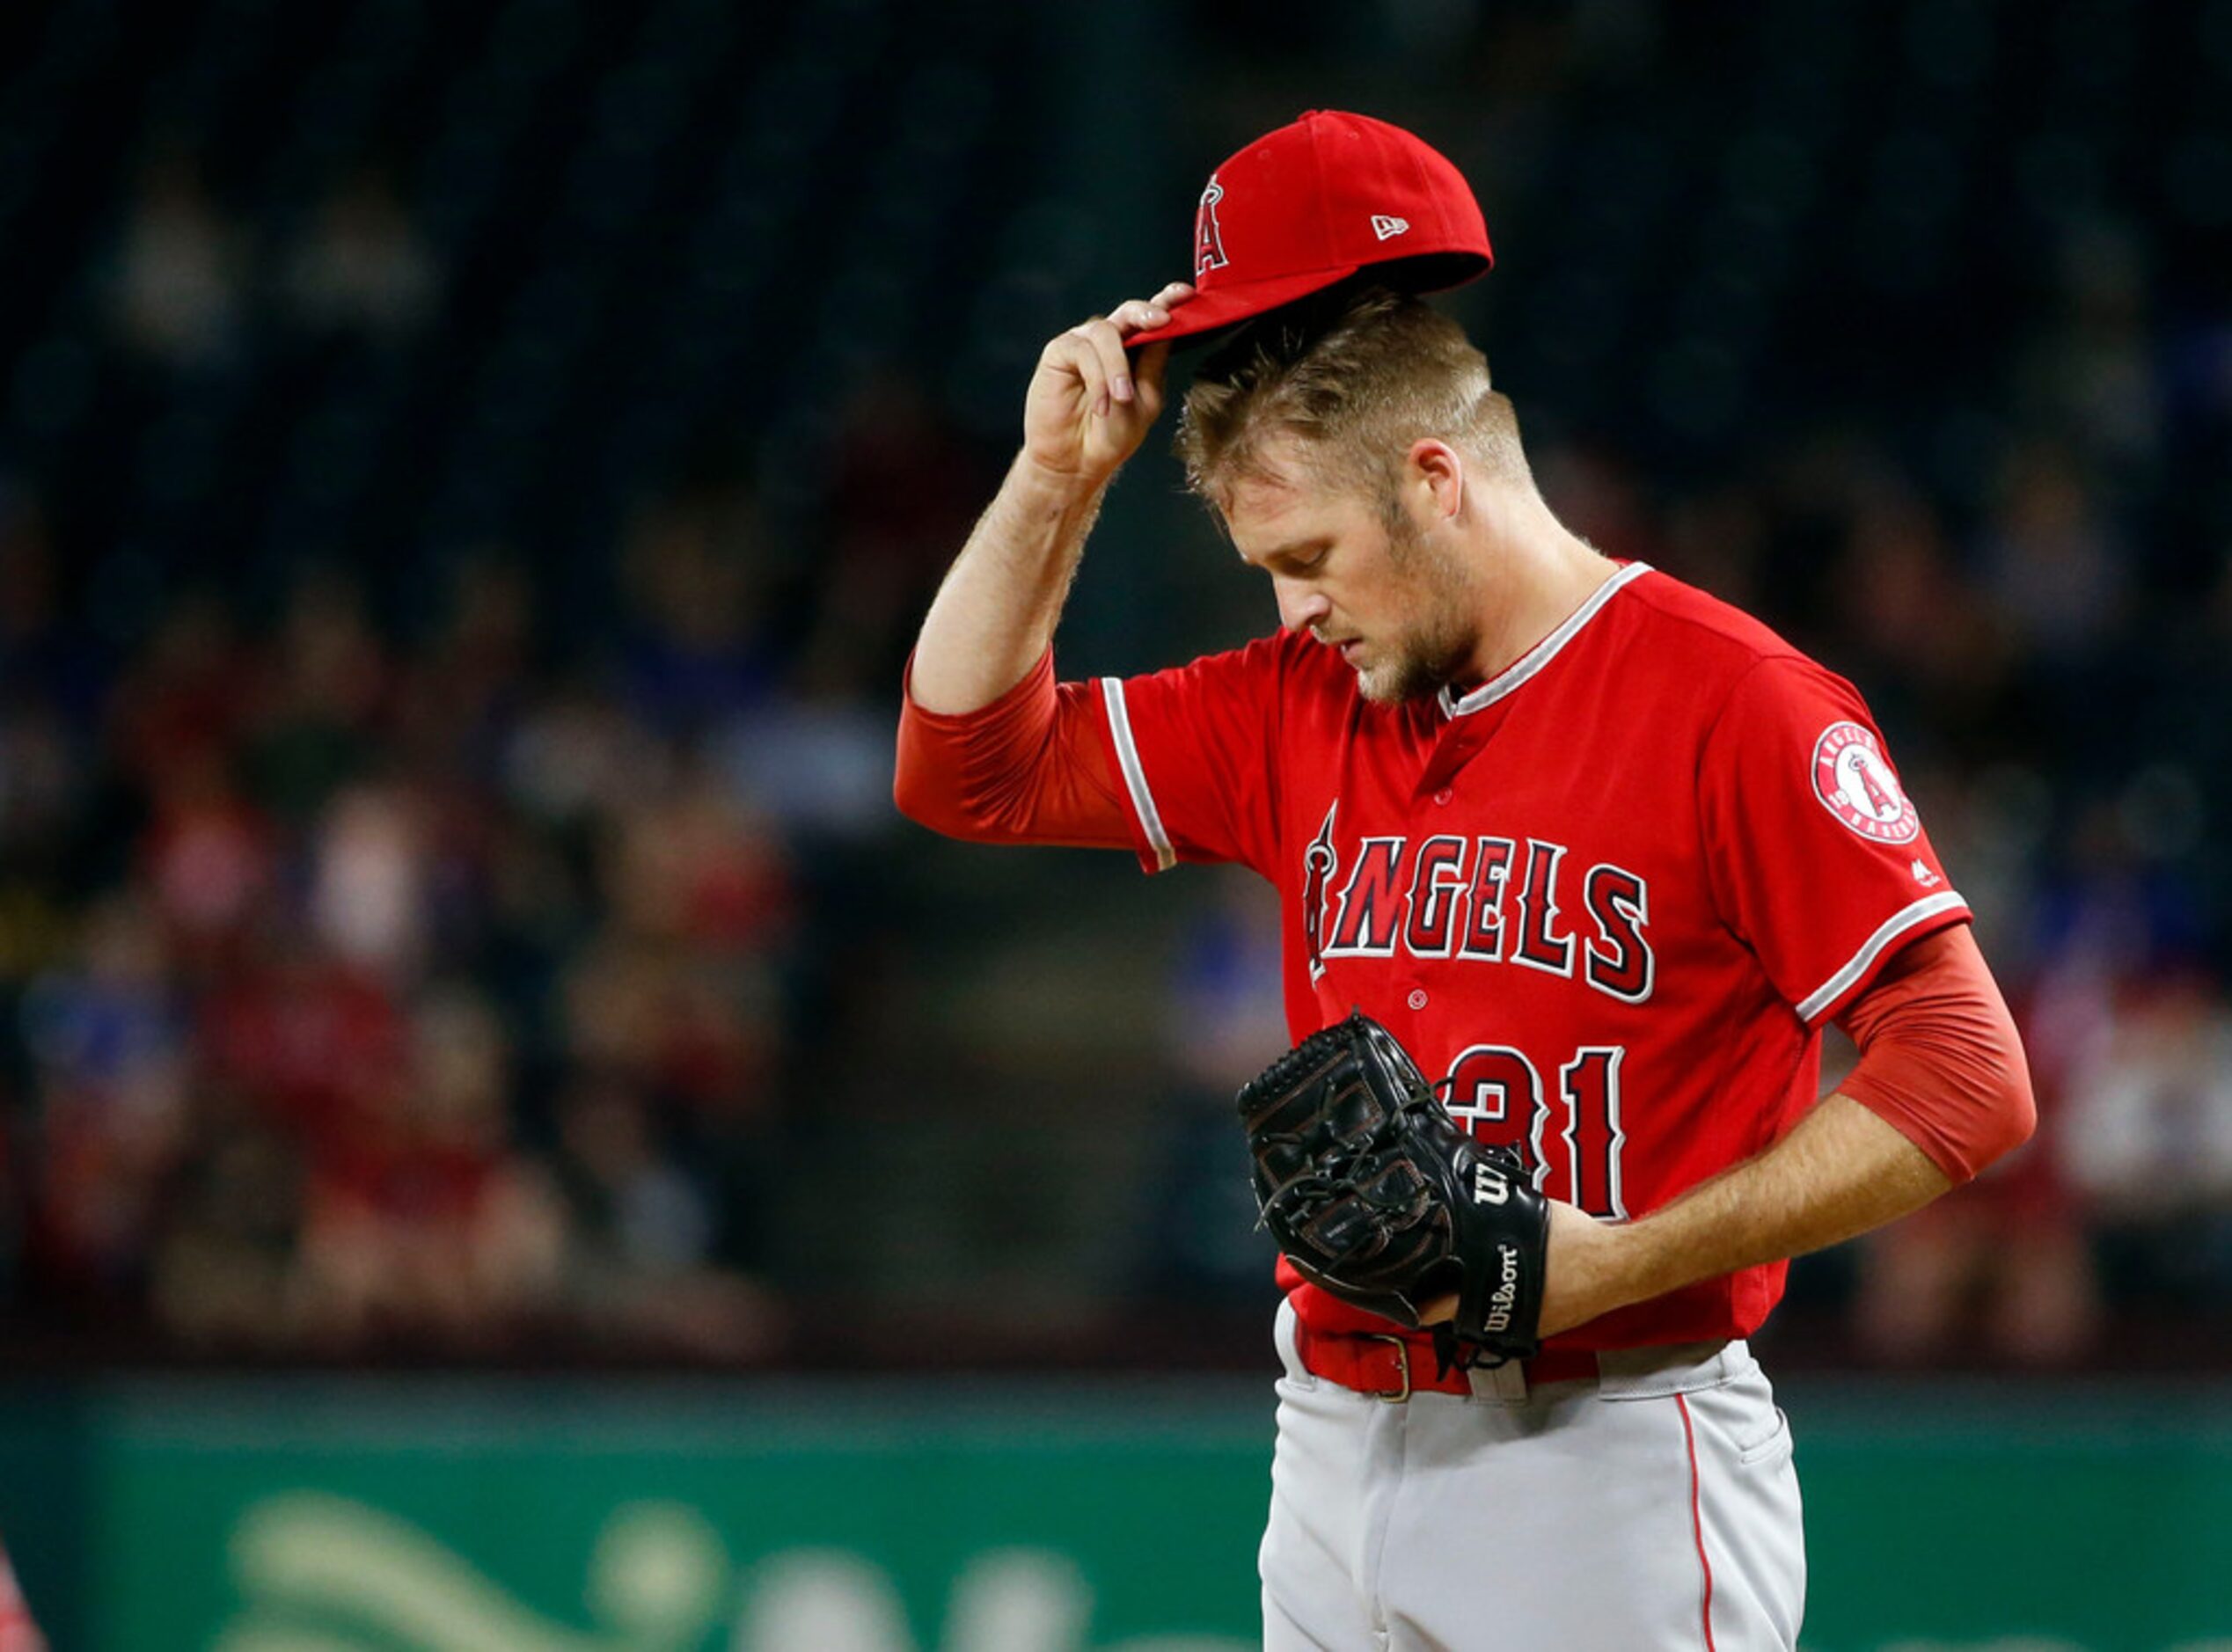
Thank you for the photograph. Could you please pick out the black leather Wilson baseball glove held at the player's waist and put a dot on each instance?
(1376, 1193)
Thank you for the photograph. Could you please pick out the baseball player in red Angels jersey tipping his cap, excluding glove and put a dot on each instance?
(1599, 852)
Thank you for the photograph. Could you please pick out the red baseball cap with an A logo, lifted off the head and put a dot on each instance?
(1316, 202)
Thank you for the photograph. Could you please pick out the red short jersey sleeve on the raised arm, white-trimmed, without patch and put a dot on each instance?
(1197, 751)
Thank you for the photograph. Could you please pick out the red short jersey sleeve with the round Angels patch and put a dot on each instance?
(1816, 854)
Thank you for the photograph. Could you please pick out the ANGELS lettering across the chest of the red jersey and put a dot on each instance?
(1483, 899)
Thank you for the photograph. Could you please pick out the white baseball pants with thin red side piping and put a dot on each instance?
(1653, 1510)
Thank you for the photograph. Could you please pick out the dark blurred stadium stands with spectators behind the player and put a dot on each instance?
(470, 477)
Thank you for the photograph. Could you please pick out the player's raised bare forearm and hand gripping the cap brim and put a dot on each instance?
(1086, 414)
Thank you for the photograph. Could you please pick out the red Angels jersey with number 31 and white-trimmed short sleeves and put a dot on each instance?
(1613, 894)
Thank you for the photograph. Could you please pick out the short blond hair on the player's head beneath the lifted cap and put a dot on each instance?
(1358, 376)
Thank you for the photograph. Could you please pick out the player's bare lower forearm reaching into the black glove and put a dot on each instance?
(1838, 1175)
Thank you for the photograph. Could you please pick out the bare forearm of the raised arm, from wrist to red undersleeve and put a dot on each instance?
(1003, 597)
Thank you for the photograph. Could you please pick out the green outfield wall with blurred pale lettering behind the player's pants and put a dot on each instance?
(492, 1517)
